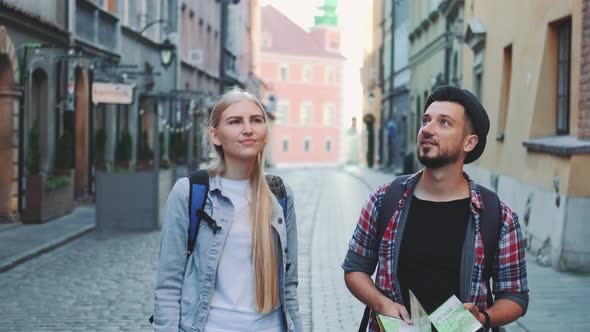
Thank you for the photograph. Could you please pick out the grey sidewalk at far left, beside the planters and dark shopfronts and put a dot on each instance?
(21, 242)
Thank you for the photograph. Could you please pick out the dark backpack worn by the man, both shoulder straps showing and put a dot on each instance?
(490, 224)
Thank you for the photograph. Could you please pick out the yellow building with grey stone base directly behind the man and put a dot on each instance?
(523, 59)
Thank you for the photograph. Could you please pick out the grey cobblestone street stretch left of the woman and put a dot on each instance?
(96, 283)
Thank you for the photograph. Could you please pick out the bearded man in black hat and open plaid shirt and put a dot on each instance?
(438, 218)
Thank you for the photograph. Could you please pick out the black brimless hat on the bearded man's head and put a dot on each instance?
(474, 110)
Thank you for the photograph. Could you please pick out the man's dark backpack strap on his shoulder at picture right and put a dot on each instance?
(490, 223)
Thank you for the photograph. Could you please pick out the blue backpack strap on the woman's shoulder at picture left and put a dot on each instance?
(199, 188)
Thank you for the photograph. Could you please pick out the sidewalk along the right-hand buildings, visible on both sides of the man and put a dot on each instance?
(558, 301)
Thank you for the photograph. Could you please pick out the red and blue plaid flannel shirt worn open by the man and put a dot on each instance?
(508, 271)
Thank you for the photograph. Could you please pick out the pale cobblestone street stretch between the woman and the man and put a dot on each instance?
(327, 204)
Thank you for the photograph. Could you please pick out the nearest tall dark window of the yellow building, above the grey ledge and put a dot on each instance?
(564, 46)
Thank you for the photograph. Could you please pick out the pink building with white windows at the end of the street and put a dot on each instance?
(302, 71)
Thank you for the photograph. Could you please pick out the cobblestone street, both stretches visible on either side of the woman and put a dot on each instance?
(104, 282)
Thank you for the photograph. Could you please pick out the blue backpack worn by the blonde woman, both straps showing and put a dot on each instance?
(199, 189)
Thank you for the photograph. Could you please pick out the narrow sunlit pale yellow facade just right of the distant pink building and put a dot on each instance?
(371, 90)
